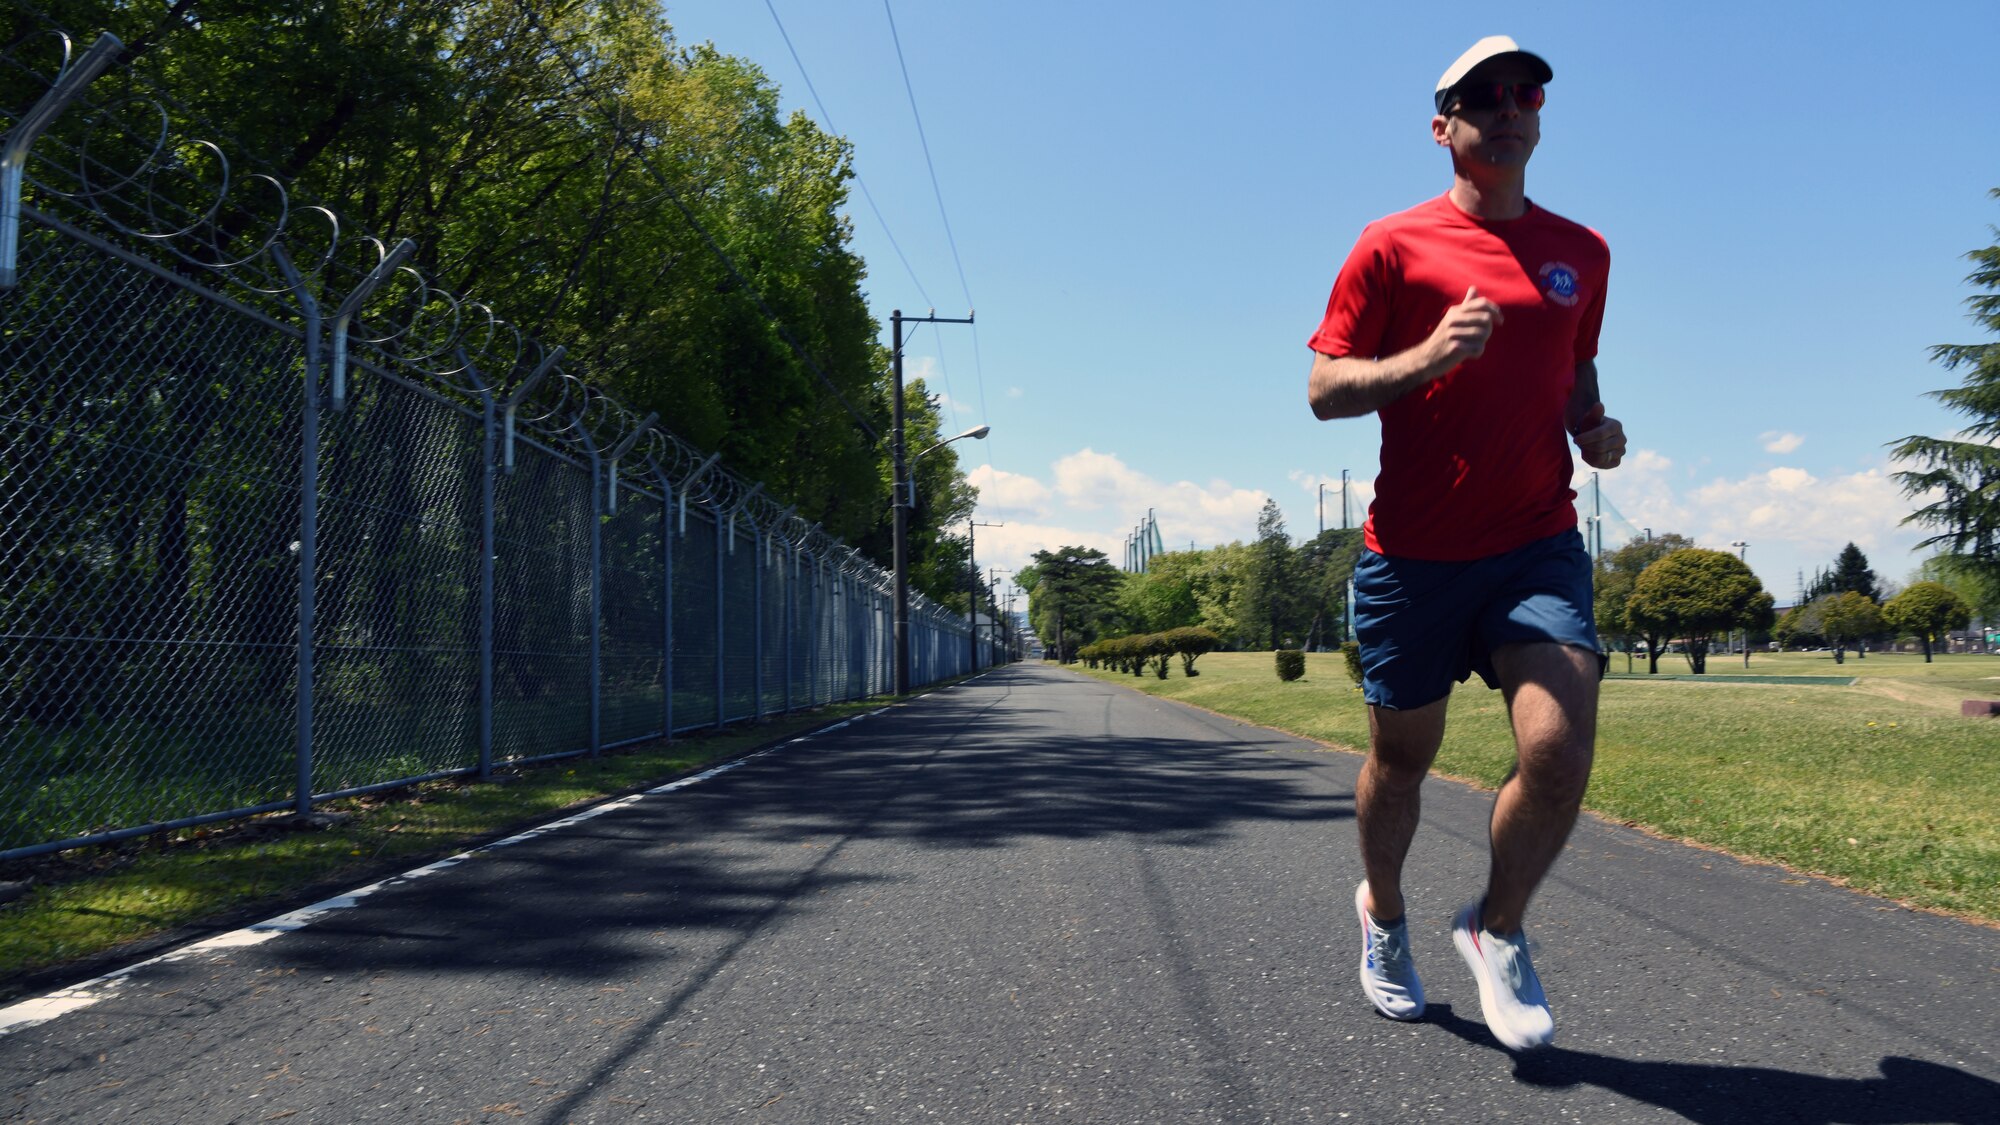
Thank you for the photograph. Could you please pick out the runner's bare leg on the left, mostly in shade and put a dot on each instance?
(1387, 804)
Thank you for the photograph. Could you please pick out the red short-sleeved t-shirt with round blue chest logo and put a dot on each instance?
(1479, 461)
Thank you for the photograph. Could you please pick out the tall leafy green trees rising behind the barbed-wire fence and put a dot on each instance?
(559, 205)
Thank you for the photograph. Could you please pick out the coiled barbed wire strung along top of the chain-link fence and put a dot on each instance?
(133, 169)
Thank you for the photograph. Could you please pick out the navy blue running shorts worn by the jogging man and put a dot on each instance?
(1427, 626)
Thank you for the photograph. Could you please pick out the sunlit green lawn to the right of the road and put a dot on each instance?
(1881, 784)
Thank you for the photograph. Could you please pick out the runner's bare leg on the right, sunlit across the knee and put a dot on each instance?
(1553, 700)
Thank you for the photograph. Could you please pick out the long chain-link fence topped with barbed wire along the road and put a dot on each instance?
(277, 531)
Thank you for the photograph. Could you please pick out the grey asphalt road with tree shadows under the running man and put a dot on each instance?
(1035, 898)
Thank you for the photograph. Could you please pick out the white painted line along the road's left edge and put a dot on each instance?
(63, 1002)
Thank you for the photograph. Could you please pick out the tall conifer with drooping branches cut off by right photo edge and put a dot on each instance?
(1965, 471)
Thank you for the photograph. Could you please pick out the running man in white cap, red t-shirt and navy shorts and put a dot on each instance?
(1471, 325)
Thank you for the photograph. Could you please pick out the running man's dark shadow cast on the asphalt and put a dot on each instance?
(1911, 1092)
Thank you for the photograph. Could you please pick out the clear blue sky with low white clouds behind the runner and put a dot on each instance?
(1151, 203)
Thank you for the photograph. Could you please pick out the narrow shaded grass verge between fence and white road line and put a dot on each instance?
(117, 902)
